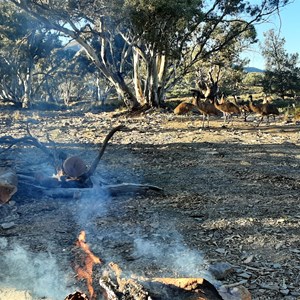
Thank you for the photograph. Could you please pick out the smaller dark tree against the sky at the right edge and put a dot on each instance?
(282, 72)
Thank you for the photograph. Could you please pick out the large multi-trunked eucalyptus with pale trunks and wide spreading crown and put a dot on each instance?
(144, 47)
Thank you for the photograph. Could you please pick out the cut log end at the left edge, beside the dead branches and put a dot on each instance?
(8, 184)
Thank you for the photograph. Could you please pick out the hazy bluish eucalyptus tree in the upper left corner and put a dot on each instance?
(24, 44)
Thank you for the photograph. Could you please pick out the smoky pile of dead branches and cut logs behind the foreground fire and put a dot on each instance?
(72, 177)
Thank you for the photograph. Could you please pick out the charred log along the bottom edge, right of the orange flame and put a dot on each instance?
(170, 289)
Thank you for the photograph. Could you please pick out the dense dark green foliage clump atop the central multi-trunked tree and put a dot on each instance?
(161, 23)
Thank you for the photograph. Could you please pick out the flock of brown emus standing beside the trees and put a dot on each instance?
(215, 106)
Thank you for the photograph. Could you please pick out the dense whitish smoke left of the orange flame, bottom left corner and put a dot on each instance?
(34, 272)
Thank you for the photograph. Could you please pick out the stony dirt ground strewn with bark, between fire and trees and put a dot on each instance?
(231, 194)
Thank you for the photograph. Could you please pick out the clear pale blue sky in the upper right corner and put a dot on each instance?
(287, 25)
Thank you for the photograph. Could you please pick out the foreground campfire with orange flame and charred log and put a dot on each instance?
(113, 286)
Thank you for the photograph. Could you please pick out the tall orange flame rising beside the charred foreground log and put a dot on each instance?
(86, 271)
